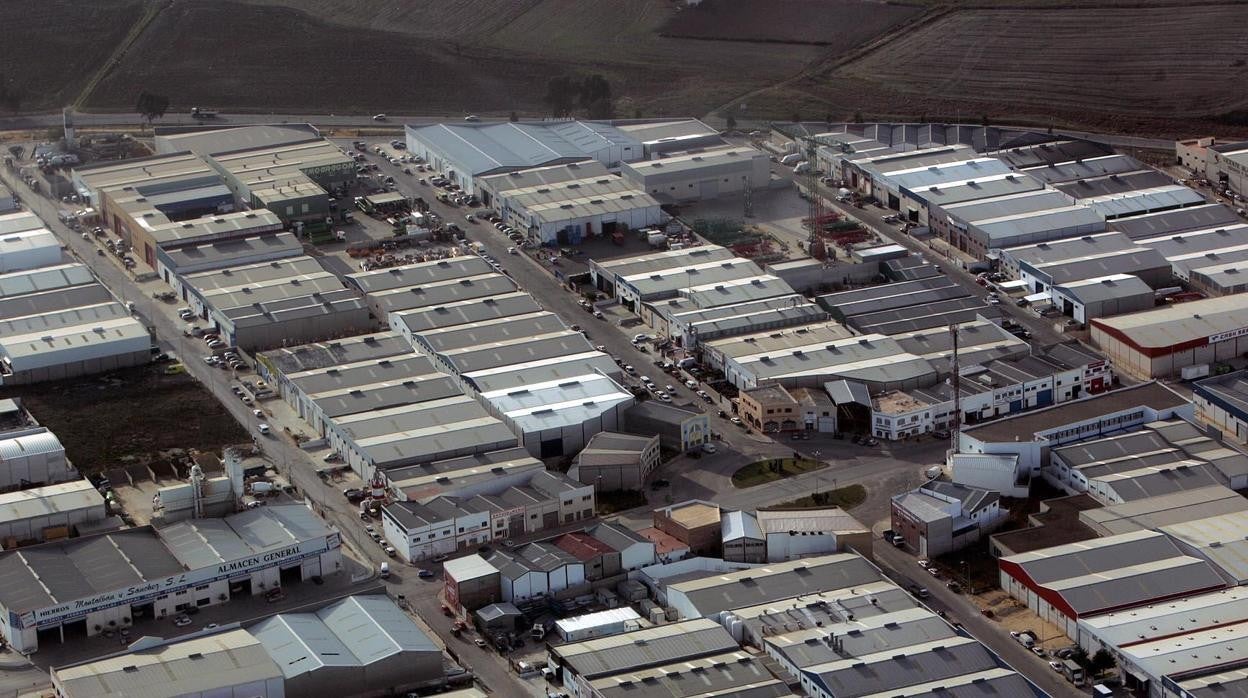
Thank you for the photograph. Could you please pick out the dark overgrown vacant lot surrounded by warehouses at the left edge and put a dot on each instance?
(135, 413)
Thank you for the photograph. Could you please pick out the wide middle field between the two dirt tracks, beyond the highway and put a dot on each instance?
(340, 59)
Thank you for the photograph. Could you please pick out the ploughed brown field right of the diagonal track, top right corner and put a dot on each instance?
(1109, 68)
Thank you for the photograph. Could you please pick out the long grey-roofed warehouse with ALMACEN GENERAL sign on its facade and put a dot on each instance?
(80, 587)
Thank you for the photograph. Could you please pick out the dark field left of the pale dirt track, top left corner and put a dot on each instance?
(52, 48)
